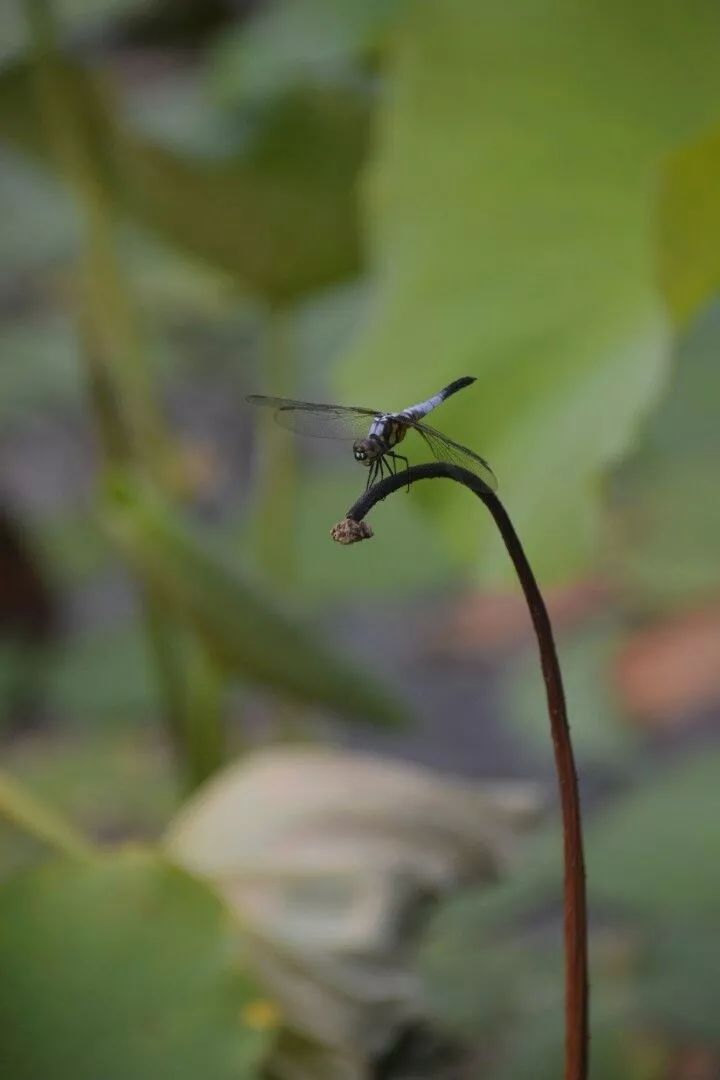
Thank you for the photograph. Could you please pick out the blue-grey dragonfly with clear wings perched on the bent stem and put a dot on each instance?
(377, 434)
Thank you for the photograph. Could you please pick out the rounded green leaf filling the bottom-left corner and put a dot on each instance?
(121, 967)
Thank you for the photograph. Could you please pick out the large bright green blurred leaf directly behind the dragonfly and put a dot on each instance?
(510, 208)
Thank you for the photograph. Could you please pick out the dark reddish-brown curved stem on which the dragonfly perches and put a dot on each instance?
(575, 898)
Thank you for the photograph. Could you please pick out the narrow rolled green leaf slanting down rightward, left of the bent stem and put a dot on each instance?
(244, 626)
